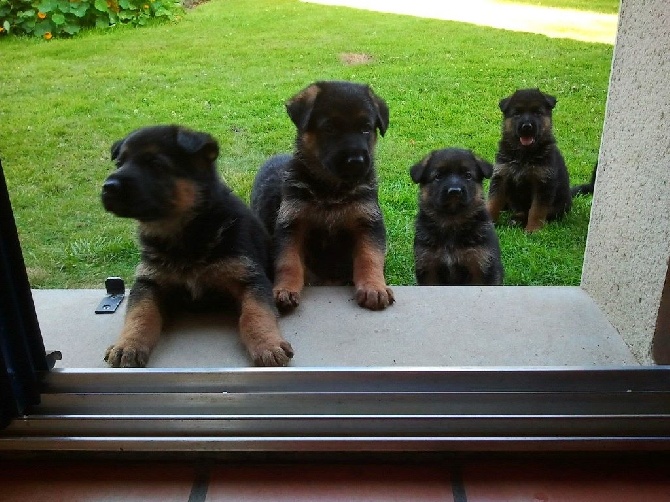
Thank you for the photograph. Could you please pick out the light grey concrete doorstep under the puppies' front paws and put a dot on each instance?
(427, 326)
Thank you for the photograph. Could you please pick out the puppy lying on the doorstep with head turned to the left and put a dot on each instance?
(198, 241)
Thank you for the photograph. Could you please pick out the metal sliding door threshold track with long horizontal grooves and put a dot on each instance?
(348, 410)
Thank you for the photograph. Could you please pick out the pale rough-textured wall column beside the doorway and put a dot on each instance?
(628, 245)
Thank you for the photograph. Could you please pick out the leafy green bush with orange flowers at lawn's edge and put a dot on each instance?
(59, 18)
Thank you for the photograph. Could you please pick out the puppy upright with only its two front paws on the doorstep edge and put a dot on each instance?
(321, 203)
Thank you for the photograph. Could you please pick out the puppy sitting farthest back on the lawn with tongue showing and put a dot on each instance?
(529, 177)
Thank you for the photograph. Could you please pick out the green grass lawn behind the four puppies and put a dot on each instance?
(227, 67)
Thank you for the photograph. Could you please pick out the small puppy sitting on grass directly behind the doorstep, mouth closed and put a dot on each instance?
(455, 242)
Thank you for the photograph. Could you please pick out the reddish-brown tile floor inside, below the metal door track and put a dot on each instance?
(471, 481)
